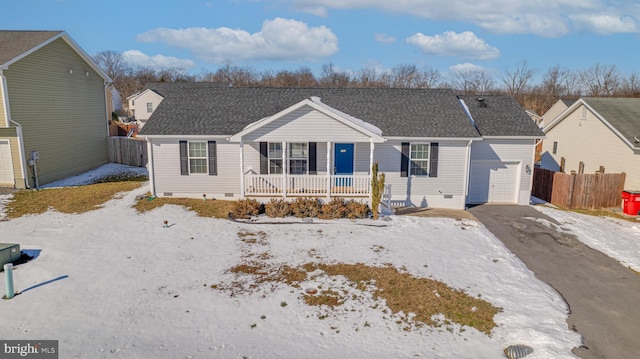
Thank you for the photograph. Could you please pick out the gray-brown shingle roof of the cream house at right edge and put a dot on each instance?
(622, 113)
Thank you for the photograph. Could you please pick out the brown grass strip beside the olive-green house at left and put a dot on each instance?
(66, 199)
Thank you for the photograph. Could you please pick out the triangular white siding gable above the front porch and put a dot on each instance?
(306, 125)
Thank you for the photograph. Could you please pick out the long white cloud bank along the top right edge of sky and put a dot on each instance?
(548, 18)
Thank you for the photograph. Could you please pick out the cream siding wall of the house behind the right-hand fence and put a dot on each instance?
(593, 143)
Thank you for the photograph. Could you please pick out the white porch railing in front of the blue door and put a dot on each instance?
(307, 185)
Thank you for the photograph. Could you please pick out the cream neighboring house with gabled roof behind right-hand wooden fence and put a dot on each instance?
(594, 134)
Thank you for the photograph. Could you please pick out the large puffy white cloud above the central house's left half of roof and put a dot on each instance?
(279, 39)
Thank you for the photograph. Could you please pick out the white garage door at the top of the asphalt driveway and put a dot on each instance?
(493, 182)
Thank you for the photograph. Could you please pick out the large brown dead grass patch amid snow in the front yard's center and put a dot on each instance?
(417, 301)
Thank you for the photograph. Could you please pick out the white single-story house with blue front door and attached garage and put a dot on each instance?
(436, 149)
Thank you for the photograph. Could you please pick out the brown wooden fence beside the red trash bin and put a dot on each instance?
(579, 191)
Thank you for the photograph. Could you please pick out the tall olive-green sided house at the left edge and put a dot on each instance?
(53, 109)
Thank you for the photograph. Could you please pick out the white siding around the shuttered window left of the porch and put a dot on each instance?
(167, 177)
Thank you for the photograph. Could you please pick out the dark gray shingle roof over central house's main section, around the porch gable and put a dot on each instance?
(226, 111)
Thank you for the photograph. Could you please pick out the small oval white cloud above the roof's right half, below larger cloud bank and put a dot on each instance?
(465, 45)
